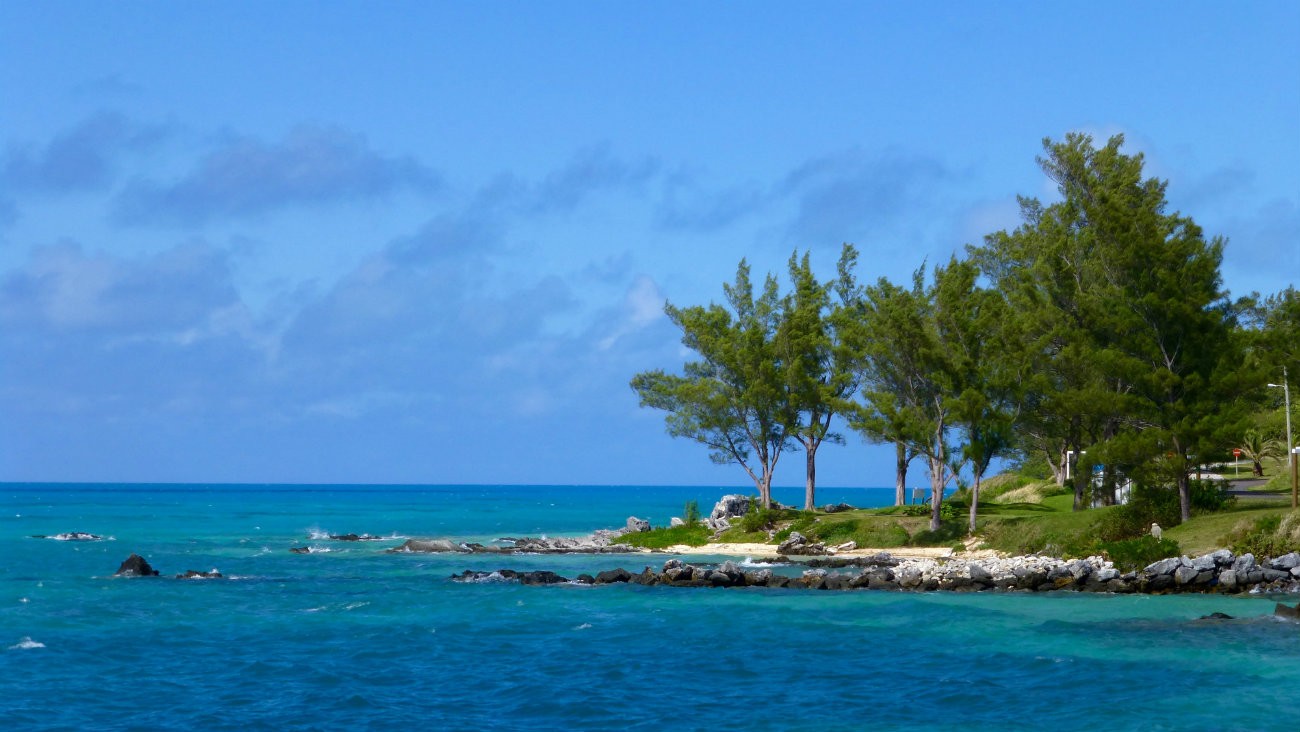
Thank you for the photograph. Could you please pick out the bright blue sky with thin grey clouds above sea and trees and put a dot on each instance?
(432, 242)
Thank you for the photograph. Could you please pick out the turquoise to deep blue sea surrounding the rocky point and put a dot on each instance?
(357, 639)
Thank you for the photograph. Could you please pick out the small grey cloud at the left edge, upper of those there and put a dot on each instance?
(79, 159)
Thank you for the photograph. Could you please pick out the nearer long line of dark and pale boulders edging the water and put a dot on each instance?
(1219, 573)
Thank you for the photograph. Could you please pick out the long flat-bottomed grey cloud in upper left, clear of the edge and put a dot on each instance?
(248, 177)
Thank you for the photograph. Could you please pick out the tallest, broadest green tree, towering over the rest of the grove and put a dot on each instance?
(1126, 319)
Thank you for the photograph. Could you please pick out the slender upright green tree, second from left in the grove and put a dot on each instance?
(816, 361)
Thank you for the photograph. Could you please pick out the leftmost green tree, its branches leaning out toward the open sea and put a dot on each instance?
(734, 400)
